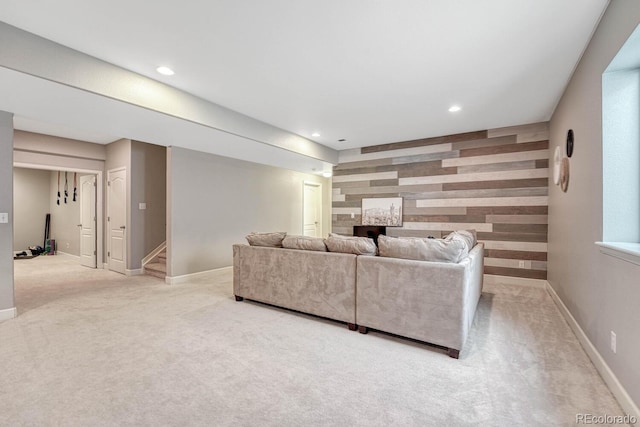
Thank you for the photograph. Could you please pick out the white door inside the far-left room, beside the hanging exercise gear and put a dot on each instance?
(88, 221)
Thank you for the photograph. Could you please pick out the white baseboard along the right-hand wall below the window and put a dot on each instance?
(628, 405)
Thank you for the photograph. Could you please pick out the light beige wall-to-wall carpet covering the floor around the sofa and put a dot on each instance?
(93, 348)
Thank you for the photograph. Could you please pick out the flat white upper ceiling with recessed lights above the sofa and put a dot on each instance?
(369, 71)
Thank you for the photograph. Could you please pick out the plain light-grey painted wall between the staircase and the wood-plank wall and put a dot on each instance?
(214, 202)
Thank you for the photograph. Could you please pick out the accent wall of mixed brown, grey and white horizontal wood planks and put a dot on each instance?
(494, 181)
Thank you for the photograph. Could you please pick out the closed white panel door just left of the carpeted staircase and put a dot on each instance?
(117, 219)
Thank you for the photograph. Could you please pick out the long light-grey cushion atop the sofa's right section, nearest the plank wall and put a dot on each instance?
(421, 249)
